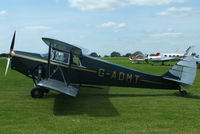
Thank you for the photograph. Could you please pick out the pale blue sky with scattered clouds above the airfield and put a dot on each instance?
(102, 26)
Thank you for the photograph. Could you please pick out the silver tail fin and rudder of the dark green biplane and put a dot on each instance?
(183, 72)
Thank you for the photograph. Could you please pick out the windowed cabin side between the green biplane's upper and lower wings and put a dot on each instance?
(64, 66)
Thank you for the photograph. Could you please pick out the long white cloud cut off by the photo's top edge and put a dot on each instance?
(113, 4)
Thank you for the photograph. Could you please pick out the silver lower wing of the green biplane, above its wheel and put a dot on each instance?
(59, 86)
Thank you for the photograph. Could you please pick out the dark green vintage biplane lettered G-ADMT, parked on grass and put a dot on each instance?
(65, 68)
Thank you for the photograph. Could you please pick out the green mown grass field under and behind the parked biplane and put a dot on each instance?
(112, 110)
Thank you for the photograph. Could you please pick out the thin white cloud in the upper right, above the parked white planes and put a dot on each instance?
(176, 11)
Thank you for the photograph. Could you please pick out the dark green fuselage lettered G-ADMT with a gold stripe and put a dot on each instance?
(92, 72)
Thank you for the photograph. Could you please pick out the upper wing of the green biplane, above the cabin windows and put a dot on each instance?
(62, 46)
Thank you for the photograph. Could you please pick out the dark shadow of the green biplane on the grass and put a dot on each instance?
(96, 102)
